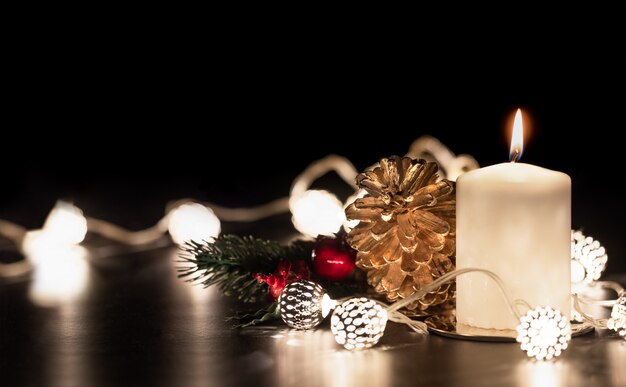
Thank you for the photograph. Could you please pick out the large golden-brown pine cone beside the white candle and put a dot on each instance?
(406, 235)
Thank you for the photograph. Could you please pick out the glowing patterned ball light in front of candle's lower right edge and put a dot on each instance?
(544, 333)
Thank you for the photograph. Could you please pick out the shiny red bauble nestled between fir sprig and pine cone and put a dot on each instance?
(333, 258)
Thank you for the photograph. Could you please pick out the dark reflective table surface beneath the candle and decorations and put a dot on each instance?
(136, 324)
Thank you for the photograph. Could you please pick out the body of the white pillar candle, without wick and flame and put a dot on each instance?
(515, 220)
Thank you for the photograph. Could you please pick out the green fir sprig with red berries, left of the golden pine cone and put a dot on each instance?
(256, 270)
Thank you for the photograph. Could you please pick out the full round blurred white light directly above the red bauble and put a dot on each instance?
(316, 212)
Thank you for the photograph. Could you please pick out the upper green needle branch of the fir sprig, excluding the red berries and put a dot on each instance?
(230, 263)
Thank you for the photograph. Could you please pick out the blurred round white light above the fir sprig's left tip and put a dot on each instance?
(193, 221)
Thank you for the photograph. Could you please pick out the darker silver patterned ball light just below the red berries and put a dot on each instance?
(304, 304)
